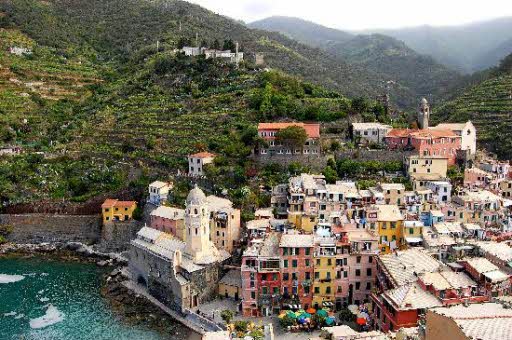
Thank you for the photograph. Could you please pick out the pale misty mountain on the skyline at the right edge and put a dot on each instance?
(467, 48)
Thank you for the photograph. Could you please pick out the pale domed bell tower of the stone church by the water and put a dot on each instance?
(197, 224)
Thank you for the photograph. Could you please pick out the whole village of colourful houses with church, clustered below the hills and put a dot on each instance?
(430, 259)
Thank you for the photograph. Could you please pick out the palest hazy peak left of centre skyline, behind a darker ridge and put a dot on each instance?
(301, 30)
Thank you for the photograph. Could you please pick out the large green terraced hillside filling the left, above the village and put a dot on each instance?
(110, 111)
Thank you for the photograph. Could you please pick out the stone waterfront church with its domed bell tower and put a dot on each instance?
(180, 274)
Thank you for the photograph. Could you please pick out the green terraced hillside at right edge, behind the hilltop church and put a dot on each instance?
(488, 104)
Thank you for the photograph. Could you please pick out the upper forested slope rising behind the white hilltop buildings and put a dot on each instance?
(115, 28)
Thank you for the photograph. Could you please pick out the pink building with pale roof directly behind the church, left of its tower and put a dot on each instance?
(169, 220)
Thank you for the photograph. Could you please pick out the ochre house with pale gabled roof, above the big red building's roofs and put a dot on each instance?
(390, 228)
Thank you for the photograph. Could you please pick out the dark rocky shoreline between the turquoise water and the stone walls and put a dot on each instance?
(129, 306)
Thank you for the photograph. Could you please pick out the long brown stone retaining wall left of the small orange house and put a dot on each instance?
(38, 228)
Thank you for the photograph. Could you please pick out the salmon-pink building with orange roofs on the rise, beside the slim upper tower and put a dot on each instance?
(427, 142)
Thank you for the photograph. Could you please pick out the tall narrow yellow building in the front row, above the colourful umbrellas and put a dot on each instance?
(325, 272)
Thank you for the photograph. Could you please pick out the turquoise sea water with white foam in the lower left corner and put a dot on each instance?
(58, 300)
